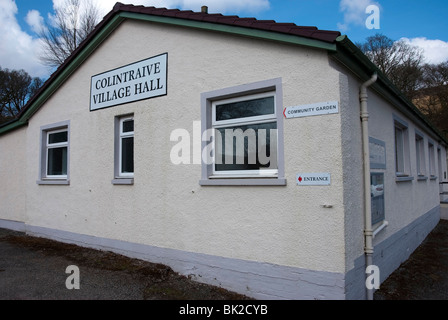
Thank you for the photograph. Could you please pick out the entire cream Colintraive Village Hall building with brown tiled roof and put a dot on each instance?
(266, 158)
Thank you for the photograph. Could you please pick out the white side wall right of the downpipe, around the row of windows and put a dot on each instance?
(404, 201)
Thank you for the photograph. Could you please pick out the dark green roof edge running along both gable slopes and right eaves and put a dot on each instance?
(343, 50)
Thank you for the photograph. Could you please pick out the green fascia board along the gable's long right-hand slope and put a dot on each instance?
(248, 32)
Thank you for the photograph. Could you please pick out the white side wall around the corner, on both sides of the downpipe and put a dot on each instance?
(405, 202)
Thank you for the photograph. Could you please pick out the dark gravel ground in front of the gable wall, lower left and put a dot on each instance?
(35, 269)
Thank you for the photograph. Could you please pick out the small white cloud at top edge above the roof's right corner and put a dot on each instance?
(354, 13)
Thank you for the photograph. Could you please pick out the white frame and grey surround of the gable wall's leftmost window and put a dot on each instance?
(45, 146)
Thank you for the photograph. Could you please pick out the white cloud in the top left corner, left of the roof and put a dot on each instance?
(18, 50)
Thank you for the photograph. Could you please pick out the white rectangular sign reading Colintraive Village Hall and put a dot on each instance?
(137, 81)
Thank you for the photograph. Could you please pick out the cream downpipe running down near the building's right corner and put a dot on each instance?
(368, 232)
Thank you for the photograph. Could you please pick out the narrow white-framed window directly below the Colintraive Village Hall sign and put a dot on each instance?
(124, 150)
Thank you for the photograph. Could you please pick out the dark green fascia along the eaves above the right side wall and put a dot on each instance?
(355, 60)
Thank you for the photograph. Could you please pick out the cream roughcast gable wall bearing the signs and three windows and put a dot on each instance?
(166, 207)
